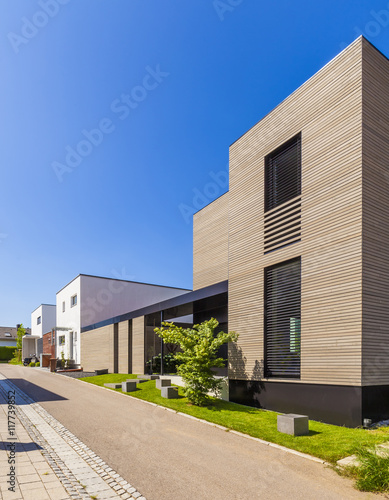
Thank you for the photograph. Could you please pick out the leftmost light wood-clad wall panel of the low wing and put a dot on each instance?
(97, 349)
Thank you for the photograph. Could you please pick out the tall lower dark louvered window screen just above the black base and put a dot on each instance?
(283, 319)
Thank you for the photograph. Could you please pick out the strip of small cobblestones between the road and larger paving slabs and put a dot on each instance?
(82, 473)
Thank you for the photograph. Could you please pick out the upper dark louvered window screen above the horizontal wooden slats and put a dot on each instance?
(283, 173)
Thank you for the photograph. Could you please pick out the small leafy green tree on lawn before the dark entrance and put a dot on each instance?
(198, 357)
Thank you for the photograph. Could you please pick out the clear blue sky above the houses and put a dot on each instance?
(172, 84)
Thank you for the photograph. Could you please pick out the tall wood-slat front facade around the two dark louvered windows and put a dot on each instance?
(327, 111)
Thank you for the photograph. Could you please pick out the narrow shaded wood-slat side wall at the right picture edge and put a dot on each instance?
(375, 280)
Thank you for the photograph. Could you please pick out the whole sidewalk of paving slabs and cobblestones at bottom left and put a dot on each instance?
(50, 462)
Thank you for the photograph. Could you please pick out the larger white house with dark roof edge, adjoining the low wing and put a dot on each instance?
(88, 300)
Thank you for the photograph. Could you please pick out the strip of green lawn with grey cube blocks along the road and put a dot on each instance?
(328, 442)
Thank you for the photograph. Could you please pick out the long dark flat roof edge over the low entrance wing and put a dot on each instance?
(186, 298)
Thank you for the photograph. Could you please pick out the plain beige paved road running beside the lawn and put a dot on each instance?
(170, 457)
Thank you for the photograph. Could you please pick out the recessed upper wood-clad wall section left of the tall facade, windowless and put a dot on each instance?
(210, 244)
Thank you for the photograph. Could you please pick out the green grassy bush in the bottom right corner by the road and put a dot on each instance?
(373, 472)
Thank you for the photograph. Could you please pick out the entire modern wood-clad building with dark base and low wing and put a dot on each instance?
(296, 251)
